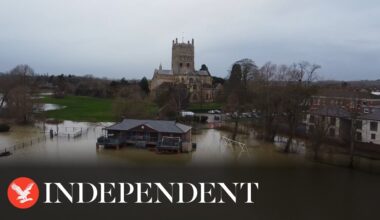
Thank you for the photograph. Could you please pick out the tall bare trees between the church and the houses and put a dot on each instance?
(280, 94)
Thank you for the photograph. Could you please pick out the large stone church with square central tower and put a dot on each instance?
(198, 82)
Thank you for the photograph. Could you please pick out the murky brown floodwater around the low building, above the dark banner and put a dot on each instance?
(76, 144)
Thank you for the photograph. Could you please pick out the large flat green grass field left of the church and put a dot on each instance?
(81, 108)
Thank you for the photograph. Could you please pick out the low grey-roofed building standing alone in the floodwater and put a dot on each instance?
(164, 135)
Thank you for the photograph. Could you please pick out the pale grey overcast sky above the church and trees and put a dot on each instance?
(124, 38)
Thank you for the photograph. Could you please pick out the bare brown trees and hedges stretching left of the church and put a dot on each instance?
(21, 86)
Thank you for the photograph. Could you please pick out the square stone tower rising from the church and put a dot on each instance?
(183, 57)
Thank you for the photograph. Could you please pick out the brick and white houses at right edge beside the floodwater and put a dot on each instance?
(337, 111)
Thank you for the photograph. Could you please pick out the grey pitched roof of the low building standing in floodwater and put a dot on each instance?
(158, 125)
